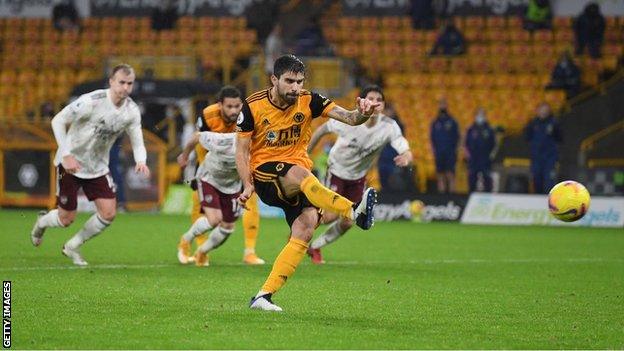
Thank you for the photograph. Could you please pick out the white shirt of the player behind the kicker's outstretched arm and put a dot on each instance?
(357, 146)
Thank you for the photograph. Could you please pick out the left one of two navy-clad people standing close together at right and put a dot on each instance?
(444, 139)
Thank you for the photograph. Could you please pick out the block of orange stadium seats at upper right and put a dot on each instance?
(505, 70)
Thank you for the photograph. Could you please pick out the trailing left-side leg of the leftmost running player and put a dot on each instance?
(67, 201)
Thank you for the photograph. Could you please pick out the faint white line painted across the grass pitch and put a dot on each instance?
(335, 263)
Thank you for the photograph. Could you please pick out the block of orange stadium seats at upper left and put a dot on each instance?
(40, 64)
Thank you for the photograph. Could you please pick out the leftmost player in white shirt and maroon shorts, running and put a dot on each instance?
(95, 120)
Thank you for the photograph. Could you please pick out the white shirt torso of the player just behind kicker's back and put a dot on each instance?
(219, 166)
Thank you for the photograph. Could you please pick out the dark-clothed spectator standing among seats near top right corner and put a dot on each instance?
(589, 29)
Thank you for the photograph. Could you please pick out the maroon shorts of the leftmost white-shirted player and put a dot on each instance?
(67, 186)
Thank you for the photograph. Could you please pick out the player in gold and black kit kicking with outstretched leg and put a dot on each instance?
(272, 160)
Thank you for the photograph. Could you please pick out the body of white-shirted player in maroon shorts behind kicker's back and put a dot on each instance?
(218, 187)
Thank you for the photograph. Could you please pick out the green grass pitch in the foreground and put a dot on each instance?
(399, 285)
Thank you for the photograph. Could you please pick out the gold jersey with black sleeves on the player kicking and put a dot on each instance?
(281, 134)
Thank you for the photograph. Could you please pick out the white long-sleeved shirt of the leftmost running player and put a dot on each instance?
(94, 125)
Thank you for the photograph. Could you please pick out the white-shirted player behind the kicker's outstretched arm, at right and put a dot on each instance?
(351, 157)
